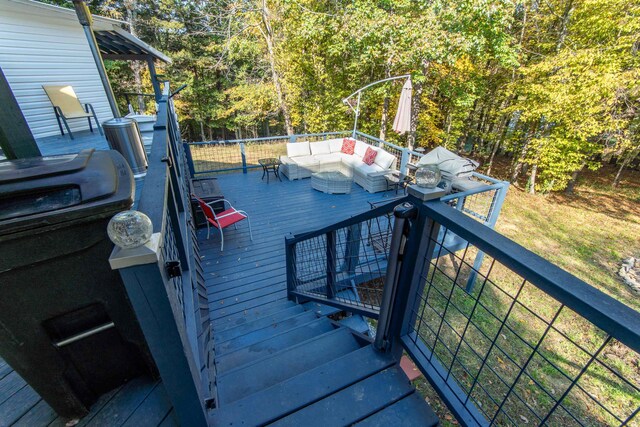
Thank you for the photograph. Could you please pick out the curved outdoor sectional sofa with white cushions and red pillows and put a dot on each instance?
(305, 158)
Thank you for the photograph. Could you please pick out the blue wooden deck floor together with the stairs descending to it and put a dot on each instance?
(277, 362)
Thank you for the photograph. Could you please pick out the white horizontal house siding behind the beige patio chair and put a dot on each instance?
(41, 45)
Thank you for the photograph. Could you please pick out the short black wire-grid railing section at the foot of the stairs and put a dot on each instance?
(344, 265)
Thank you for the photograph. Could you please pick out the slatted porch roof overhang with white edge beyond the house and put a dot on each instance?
(119, 44)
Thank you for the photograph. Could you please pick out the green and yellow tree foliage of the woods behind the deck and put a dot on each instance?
(553, 84)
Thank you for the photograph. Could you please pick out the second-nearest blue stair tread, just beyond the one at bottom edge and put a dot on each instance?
(354, 402)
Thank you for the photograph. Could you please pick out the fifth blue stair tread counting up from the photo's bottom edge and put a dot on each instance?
(273, 344)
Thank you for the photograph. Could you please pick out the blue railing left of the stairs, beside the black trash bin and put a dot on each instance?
(165, 282)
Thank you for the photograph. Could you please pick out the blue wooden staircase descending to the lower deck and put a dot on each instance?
(289, 365)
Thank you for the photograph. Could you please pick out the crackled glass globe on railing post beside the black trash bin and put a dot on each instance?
(130, 229)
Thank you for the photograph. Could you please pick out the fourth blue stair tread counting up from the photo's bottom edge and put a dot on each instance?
(284, 364)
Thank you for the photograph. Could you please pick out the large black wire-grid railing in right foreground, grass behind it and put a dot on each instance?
(530, 344)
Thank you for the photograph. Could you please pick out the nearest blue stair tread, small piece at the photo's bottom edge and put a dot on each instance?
(412, 411)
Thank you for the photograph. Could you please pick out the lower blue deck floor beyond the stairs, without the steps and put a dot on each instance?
(250, 273)
